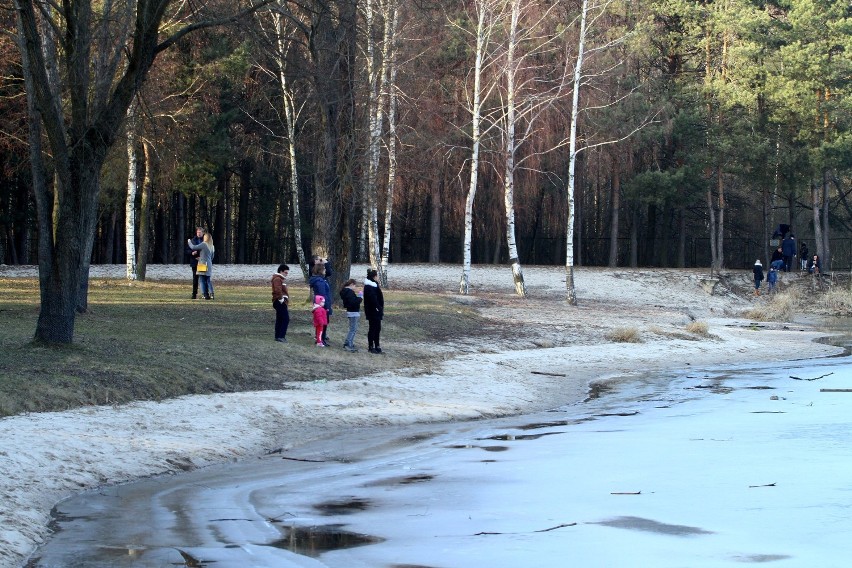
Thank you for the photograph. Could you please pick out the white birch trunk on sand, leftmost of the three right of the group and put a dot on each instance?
(464, 284)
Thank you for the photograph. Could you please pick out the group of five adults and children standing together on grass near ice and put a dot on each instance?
(322, 309)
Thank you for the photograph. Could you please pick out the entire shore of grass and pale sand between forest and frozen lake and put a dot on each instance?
(446, 357)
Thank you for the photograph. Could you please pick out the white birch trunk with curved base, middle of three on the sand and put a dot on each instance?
(509, 180)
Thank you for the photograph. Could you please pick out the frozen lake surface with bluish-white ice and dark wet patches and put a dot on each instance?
(708, 468)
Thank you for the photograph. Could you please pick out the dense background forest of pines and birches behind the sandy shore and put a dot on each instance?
(350, 128)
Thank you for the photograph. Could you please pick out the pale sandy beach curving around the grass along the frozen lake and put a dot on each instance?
(546, 354)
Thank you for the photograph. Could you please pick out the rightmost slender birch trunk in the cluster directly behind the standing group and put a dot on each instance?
(391, 18)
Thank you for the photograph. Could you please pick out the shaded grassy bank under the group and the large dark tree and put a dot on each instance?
(147, 341)
